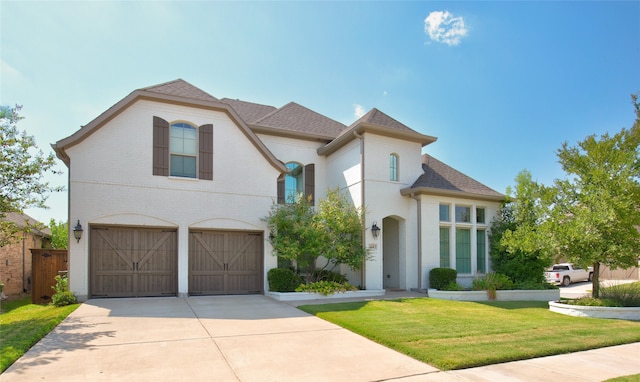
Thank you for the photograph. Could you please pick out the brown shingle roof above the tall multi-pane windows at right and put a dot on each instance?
(439, 176)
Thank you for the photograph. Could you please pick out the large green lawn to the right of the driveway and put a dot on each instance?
(456, 335)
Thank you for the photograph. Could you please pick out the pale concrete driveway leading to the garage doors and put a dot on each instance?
(222, 338)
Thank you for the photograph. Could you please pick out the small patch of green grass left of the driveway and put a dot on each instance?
(22, 324)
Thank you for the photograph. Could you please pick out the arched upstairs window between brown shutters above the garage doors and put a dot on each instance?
(184, 150)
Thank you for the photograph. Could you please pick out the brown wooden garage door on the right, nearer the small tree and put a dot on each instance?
(225, 262)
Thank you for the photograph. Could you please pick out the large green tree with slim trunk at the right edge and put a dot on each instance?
(596, 211)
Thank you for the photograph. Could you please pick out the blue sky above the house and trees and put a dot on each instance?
(501, 84)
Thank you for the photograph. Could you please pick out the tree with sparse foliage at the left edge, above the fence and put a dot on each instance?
(22, 170)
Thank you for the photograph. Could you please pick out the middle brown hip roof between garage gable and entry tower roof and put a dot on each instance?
(297, 118)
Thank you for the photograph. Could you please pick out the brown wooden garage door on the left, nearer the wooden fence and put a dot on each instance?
(133, 262)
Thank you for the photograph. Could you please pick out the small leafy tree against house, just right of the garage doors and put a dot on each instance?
(304, 237)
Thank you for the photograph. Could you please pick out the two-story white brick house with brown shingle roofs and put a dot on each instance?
(171, 186)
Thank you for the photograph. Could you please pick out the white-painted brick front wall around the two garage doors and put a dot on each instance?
(111, 182)
